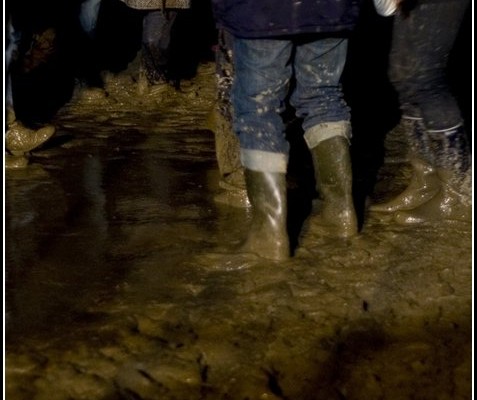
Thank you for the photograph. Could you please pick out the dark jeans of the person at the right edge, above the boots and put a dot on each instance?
(418, 60)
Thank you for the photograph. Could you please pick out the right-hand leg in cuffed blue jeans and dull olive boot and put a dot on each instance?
(319, 100)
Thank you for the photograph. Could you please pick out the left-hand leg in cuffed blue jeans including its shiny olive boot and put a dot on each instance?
(262, 76)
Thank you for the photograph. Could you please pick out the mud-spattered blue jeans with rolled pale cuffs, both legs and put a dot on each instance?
(263, 72)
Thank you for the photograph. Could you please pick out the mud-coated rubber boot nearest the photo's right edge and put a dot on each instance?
(453, 165)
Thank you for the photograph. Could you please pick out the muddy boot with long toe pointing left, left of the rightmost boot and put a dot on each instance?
(424, 183)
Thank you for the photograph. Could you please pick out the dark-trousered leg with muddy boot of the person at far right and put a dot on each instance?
(421, 46)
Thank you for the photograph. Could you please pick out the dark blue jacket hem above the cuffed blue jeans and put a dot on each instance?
(268, 18)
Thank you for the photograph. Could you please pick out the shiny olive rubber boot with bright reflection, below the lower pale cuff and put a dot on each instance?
(268, 237)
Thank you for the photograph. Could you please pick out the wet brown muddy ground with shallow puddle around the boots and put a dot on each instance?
(120, 282)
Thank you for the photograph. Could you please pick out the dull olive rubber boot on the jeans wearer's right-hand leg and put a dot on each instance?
(335, 215)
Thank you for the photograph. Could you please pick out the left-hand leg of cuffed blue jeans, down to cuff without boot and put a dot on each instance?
(262, 77)
